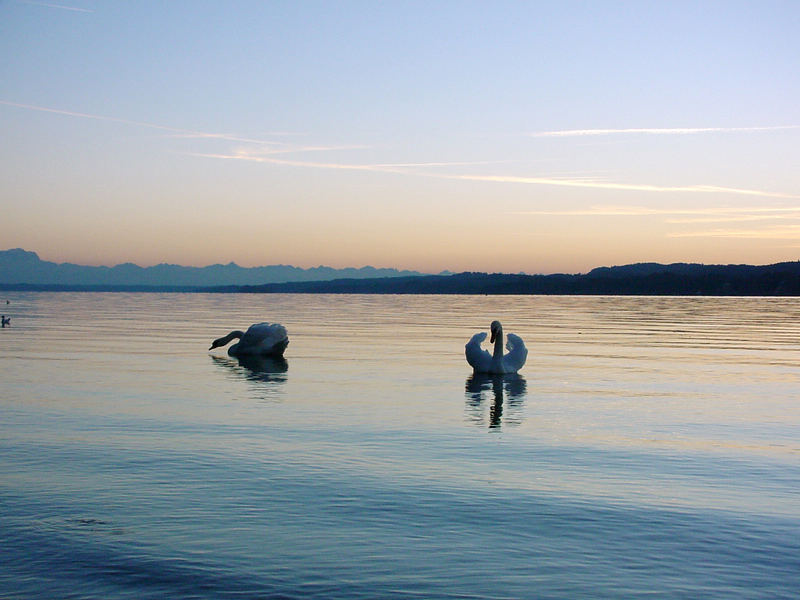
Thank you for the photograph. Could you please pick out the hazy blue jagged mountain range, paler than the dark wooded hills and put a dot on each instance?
(19, 266)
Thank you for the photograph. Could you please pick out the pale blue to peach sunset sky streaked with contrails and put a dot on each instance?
(533, 137)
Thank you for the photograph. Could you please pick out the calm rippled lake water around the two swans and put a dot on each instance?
(649, 448)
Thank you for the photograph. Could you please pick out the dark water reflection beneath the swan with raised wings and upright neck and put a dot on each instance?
(499, 388)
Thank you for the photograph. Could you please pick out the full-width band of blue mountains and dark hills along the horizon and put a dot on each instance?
(20, 269)
